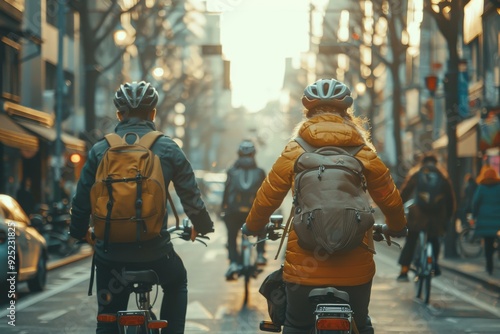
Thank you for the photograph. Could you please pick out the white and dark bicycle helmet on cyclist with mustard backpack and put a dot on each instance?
(136, 96)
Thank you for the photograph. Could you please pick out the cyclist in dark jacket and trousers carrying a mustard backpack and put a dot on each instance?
(136, 104)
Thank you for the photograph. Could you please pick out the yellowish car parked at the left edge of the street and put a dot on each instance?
(27, 254)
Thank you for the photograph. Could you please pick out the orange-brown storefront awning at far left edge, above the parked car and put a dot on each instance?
(15, 136)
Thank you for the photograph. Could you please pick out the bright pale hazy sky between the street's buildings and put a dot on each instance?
(256, 36)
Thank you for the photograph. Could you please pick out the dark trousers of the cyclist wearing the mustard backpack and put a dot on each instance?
(113, 295)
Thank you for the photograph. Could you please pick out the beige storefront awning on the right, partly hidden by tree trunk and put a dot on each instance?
(466, 138)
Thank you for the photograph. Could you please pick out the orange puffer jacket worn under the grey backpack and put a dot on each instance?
(301, 266)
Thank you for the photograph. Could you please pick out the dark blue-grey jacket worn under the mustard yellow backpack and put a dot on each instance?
(176, 169)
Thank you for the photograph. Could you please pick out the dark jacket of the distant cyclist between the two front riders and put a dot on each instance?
(252, 173)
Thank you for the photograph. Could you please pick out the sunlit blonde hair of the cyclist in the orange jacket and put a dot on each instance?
(360, 124)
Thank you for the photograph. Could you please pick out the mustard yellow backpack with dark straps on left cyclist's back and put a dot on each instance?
(128, 198)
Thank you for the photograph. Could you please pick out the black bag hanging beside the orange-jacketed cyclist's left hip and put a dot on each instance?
(273, 289)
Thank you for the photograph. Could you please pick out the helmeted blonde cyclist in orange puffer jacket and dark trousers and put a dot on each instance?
(329, 122)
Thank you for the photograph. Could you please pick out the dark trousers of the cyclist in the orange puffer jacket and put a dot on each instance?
(300, 313)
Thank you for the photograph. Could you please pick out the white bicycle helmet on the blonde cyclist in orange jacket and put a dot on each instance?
(327, 92)
